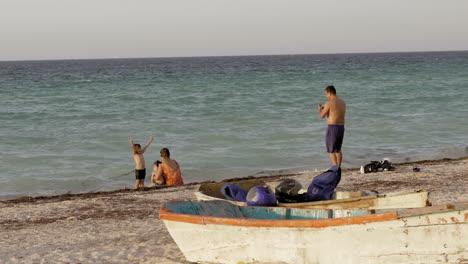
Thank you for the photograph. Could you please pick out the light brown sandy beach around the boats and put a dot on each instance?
(123, 227)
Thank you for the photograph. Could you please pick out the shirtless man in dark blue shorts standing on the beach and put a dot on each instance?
(335, 110)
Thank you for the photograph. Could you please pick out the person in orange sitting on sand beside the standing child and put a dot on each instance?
(168, 172)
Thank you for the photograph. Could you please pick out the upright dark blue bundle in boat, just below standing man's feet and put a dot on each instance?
(323, 185)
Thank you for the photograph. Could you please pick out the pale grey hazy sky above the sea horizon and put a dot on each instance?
(82, 29)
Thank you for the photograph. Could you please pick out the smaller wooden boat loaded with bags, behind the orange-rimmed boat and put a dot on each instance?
(211, 191)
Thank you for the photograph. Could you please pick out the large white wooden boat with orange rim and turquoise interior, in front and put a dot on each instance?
(221, 232)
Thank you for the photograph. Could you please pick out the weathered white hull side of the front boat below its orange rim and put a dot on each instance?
(432, 238)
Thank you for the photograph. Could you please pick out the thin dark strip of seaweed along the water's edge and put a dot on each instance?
(85, 195)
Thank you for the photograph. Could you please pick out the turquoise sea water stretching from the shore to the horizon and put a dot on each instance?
(65, 124)
